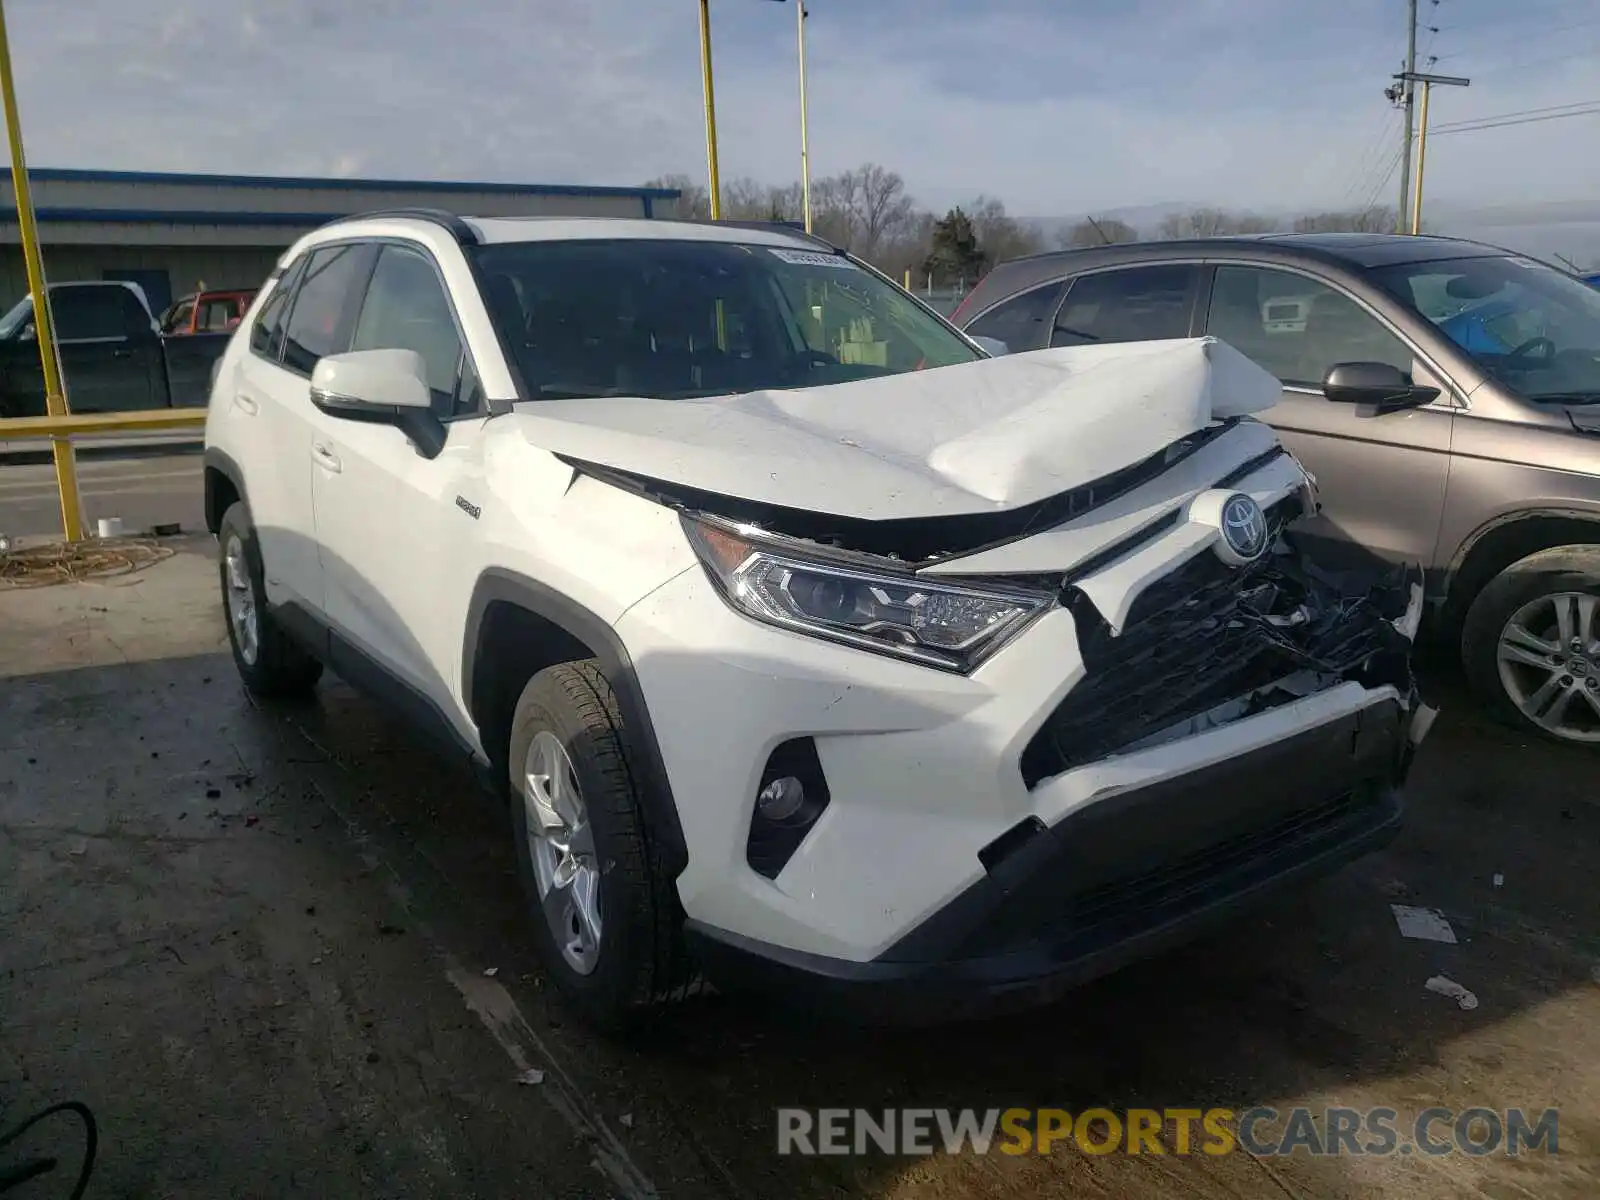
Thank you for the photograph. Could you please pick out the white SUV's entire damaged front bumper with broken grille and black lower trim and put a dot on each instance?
(1081, 799)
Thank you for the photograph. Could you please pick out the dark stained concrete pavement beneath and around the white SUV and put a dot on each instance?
(282, 951)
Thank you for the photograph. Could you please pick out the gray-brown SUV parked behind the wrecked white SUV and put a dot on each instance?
(1446, 396)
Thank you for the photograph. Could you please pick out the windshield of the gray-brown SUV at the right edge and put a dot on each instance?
(1530, 327)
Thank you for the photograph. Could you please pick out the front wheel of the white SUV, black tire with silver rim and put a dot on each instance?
(607, 918)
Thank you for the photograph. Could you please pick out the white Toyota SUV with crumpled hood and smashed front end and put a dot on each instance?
(810, 646)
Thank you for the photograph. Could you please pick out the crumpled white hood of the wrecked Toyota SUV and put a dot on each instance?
(980, 438)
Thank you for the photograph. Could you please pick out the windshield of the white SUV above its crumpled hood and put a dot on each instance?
(682, 319)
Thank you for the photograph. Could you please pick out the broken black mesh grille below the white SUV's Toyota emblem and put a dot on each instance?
(1185, 650)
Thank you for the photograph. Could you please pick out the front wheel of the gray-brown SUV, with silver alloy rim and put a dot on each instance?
(1532, 646)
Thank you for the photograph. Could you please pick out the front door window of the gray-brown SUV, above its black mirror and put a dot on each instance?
(1295, 327)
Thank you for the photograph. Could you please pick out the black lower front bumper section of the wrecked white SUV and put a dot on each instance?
(1121, 879)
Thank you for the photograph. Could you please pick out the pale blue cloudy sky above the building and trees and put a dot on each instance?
(1055, 106)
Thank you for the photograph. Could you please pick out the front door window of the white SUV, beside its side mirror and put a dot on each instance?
(406, 310)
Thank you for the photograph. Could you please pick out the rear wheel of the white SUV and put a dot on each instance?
(268, 662)
